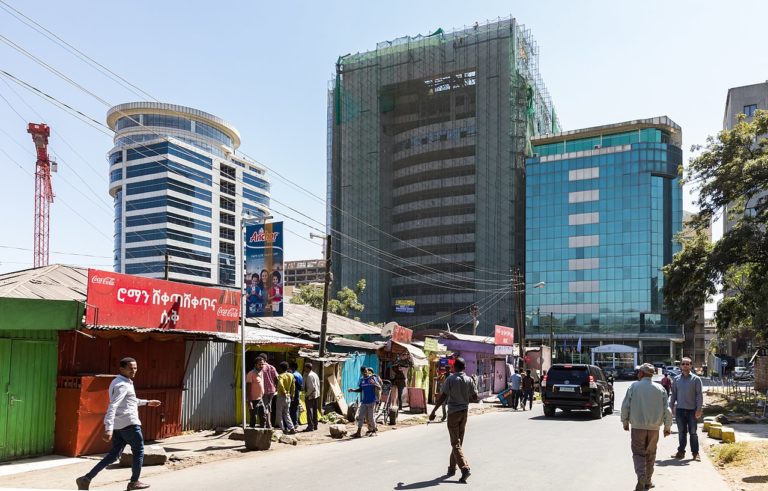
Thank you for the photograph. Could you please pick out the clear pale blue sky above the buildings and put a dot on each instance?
(265, 68)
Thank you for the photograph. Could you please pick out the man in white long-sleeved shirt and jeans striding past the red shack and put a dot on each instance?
(122, 426)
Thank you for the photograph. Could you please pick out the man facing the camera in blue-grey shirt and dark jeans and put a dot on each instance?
(686, 402)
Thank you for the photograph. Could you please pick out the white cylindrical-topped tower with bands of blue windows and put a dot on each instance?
(180, 190)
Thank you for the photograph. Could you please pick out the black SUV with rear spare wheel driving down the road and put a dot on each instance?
(574, 386)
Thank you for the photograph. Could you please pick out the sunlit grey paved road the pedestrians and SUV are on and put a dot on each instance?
(507, 450)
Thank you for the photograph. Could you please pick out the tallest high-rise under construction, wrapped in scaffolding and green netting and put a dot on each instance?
(427, 143)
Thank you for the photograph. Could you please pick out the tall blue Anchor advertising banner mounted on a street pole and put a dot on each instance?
(264, 270)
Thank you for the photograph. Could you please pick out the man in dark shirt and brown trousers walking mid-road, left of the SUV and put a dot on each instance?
(458, 390)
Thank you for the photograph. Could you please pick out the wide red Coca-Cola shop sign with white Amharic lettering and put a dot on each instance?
(116, 299)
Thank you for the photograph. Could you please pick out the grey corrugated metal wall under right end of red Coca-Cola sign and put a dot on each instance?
(208, 399)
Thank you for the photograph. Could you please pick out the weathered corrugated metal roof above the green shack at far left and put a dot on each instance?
(54, 282)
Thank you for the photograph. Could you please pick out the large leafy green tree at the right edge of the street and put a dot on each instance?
(731, 170)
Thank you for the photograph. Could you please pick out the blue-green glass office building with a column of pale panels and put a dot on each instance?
(603, 206)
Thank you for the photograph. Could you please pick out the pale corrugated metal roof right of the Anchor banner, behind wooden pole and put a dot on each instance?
(305, 319)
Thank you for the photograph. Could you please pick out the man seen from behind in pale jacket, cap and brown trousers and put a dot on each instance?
(645, 410)
